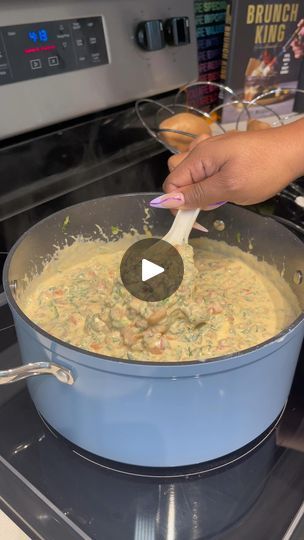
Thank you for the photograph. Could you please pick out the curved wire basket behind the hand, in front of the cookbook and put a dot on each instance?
(152, 113)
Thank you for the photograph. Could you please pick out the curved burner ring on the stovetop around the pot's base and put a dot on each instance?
(170, 472)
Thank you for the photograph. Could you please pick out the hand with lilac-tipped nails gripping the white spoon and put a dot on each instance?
(240, 167)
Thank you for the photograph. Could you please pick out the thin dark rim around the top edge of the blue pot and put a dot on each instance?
(217, 359)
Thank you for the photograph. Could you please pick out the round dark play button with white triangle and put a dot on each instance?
(151, 269)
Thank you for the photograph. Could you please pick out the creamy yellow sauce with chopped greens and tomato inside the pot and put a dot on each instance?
(228, 301)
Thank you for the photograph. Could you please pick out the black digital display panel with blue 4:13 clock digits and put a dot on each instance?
(30, 51)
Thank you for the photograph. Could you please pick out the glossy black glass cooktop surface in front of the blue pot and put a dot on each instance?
(56, 491)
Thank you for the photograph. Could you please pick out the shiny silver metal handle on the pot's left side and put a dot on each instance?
(62, 374)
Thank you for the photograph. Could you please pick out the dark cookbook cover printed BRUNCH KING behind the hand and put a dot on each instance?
(261, 53)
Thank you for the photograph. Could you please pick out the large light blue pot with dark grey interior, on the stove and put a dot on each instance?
(160, 415)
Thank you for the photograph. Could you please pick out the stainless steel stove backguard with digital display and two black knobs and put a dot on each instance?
(64, 59)
